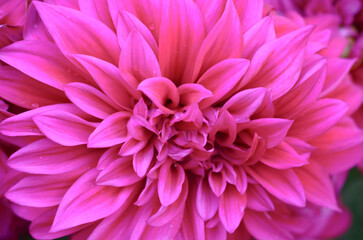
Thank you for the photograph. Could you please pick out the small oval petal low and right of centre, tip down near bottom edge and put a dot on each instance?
(231, 208)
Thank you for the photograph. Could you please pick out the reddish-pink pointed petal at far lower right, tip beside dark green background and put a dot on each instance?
(318, 185)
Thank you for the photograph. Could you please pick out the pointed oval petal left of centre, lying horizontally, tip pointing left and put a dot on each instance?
(64, 128)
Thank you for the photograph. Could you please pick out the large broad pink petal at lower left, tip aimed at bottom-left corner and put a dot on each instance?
(89, 202)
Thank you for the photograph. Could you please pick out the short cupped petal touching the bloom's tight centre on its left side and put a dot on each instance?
(110, 132)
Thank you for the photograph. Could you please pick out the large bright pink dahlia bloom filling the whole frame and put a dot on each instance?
(175, 119)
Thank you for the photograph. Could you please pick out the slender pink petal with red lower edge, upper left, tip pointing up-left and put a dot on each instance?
(109, 79)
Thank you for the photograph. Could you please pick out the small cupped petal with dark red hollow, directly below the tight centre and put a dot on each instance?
(170, 182)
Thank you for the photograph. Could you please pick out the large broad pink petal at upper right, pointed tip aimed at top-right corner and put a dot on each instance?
(277, 61)
